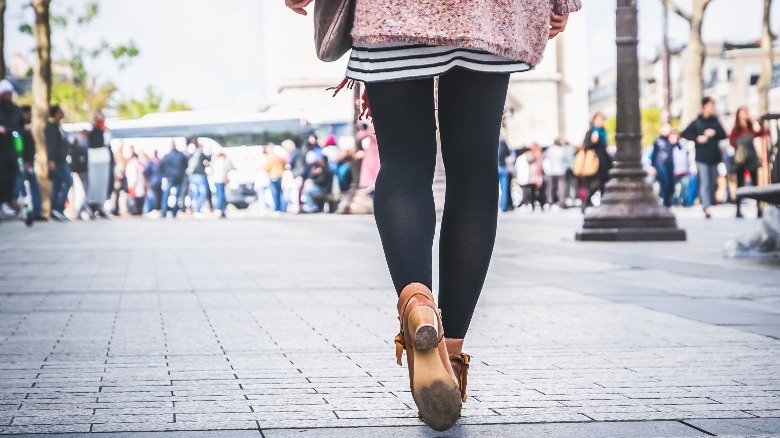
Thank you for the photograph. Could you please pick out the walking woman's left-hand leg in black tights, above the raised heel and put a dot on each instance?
(404, 119)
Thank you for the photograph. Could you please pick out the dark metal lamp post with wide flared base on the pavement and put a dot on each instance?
(629, 209)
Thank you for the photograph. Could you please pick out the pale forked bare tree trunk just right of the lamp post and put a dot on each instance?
(696, 52)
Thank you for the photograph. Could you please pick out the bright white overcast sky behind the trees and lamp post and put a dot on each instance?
(206, 52)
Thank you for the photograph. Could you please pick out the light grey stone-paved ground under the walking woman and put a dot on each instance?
(283, 327)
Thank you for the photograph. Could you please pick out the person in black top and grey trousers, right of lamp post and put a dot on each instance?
(707, 132)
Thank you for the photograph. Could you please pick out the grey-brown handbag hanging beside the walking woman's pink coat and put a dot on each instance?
(333, 20)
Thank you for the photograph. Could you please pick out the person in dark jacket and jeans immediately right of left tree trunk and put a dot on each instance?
(59, 170)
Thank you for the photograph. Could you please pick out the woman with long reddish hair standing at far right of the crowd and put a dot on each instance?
(746, 158)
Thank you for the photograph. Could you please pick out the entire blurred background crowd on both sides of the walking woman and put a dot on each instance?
(699, 165)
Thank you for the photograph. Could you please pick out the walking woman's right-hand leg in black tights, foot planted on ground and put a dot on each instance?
(471, 106)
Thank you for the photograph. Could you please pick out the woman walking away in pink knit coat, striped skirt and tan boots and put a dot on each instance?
(471, 46)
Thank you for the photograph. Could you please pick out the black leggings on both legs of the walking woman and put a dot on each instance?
(470, 110)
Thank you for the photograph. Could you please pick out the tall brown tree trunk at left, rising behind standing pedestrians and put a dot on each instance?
(42, 96)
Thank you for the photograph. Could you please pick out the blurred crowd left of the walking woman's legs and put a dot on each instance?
(90, 179)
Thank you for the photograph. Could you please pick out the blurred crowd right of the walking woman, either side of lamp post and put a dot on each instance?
(700, 165)
